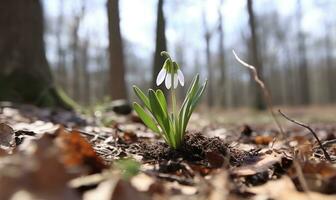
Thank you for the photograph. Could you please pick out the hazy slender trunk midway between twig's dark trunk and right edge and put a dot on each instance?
(304, 94)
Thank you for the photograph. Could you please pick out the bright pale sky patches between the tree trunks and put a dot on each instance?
(184, 19)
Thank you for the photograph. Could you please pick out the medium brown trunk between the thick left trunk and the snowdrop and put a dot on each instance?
(117, 63)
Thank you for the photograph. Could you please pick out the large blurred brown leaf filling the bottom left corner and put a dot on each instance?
(40, 174)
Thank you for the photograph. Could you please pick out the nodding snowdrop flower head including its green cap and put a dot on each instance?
(171, 74)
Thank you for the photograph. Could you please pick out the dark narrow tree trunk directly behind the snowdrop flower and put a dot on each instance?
(160, 43)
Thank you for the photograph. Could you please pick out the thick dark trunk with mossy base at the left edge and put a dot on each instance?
(24, 73)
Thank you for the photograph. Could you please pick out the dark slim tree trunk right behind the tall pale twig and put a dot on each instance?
(254, 50)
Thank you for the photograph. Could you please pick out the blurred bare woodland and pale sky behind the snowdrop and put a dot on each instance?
(98, 49)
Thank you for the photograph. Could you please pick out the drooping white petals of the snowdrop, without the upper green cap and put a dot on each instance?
(168, 76)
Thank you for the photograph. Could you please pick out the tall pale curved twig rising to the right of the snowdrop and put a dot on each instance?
(267, 94)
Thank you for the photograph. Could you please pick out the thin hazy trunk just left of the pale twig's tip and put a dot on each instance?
(221, 50)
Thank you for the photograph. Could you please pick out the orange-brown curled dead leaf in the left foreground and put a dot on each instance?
(77, 152)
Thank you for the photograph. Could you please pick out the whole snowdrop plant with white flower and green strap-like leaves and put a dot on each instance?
(171, 126)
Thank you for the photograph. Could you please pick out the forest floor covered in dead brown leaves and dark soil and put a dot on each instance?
(235, 154)
